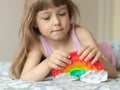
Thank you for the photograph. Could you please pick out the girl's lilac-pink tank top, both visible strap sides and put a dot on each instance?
(48, 48)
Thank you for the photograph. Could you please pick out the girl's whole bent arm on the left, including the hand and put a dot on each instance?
(35, 71)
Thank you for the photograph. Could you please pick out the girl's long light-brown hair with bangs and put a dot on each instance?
(29, 33)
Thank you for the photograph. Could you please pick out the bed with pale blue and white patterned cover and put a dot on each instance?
(48, 84)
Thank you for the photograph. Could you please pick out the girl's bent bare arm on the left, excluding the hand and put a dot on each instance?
(34, 70)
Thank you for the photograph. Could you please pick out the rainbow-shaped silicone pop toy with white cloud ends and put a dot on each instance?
(80, 69)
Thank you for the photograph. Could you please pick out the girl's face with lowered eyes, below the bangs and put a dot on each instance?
(53, 23)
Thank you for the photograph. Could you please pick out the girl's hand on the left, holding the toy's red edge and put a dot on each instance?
(58, 60)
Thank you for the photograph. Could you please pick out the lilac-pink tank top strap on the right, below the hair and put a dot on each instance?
(75, 40)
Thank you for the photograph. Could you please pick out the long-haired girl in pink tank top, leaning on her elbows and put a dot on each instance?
(47, 31)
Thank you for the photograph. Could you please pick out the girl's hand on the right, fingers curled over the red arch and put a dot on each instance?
(88, 52)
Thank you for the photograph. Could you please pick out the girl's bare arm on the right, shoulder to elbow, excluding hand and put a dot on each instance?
(87, 39)
